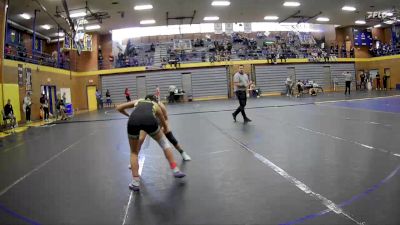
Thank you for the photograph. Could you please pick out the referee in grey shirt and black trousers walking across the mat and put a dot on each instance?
(241, 83)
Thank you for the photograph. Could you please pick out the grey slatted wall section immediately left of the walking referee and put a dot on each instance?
(209, 82)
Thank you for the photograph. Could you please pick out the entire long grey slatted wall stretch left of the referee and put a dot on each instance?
(205, 83)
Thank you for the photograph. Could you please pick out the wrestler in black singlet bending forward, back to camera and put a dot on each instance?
(146, 116)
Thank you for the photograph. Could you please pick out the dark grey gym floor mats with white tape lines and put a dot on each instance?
(324, 160)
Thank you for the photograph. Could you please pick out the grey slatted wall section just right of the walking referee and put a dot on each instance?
(271, 78)
